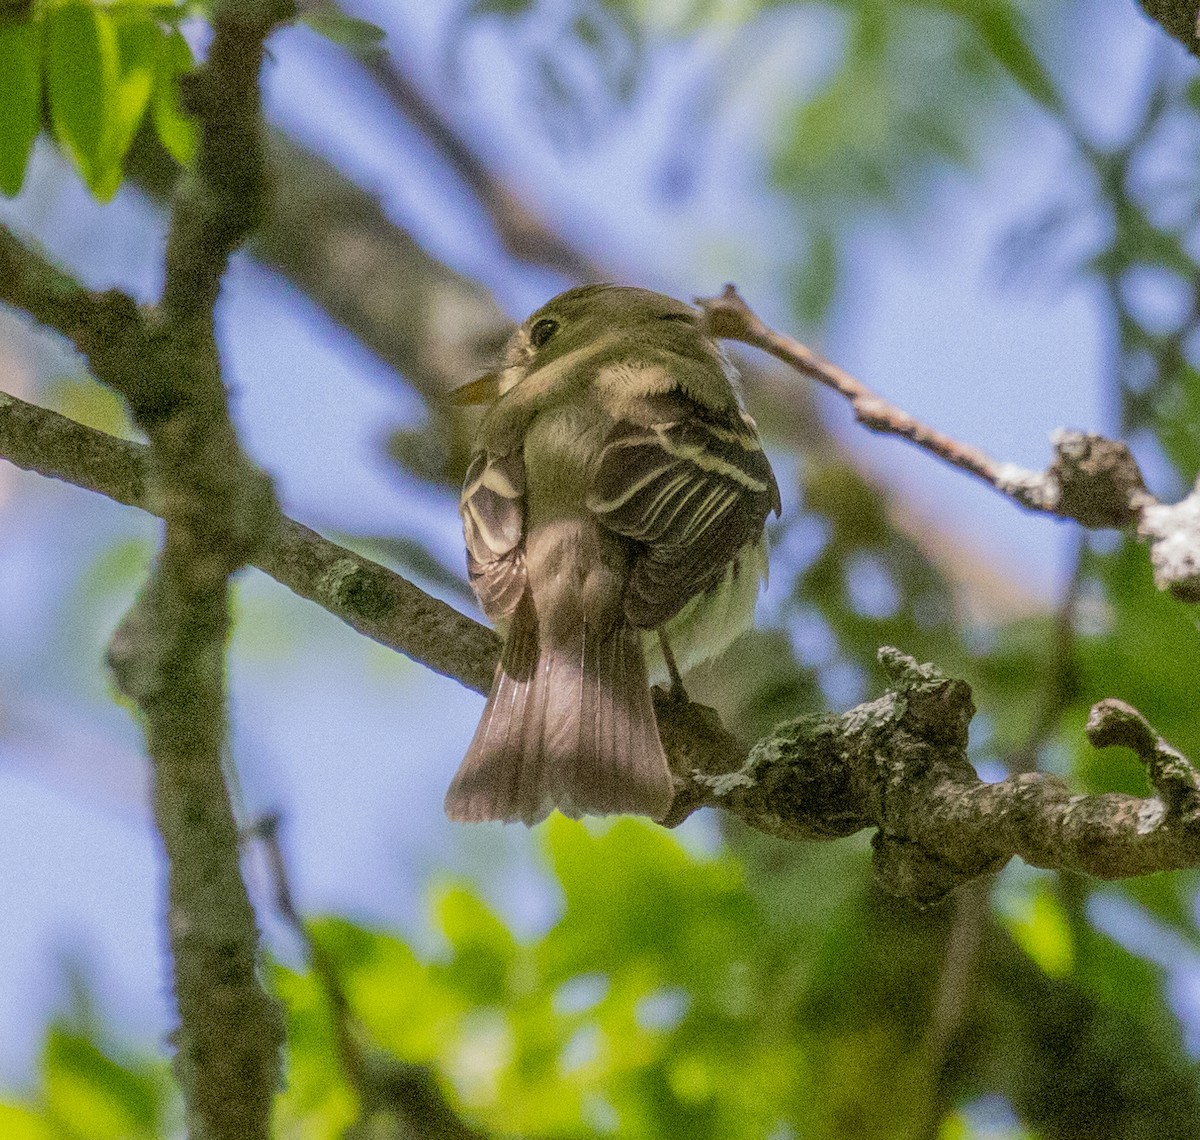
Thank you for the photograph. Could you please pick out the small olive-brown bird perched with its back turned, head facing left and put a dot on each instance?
(614, 507)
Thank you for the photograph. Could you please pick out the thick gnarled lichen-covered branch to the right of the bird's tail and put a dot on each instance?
(899, 765)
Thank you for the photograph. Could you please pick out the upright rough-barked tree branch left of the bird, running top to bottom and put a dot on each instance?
(169, 653)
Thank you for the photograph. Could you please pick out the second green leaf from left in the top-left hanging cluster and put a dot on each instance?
(82, 75)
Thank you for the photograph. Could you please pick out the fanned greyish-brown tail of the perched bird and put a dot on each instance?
(566, 727)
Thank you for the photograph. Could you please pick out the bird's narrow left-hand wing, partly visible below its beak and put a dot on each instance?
(493, 508)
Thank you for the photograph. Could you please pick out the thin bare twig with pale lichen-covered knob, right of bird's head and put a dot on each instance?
(1093, 481)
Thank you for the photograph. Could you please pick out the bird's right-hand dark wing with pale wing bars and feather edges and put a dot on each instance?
(693, 494)
